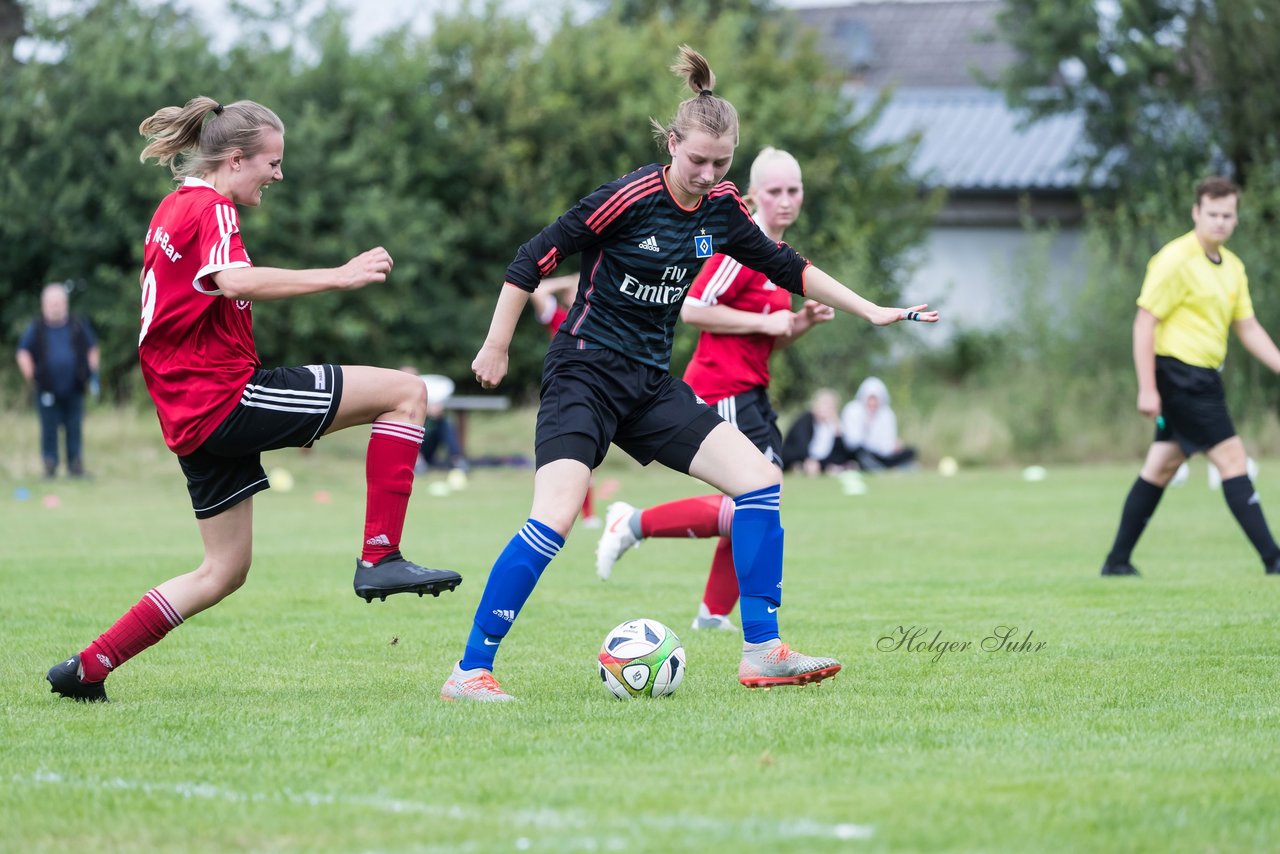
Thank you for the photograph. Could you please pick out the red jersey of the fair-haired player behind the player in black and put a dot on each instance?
(729, 366)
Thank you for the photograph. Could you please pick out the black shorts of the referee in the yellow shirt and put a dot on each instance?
(1194, 405)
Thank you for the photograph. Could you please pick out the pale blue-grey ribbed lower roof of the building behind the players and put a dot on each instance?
(972, 141)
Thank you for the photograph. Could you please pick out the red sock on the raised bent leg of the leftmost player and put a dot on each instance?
(390, 476)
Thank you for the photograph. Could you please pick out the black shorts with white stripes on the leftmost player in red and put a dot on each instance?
(284, 408)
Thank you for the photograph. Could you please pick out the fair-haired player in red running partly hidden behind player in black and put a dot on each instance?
(746, 319)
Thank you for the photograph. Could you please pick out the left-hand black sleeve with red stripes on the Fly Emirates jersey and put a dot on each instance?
(577, 230)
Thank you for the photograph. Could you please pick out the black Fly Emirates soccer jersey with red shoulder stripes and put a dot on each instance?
(641, 254)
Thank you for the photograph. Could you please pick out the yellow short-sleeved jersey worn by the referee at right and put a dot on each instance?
(1195, 300)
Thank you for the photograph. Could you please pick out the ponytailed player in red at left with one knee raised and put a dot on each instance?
(218, 408)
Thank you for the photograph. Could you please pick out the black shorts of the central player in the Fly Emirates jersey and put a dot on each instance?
(593, 398)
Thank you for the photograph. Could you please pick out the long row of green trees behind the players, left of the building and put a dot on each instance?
(451, 150)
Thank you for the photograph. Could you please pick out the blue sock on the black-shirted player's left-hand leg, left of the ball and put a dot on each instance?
(511, 581)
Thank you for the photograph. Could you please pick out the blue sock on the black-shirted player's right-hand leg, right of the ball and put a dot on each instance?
(758, 558)
